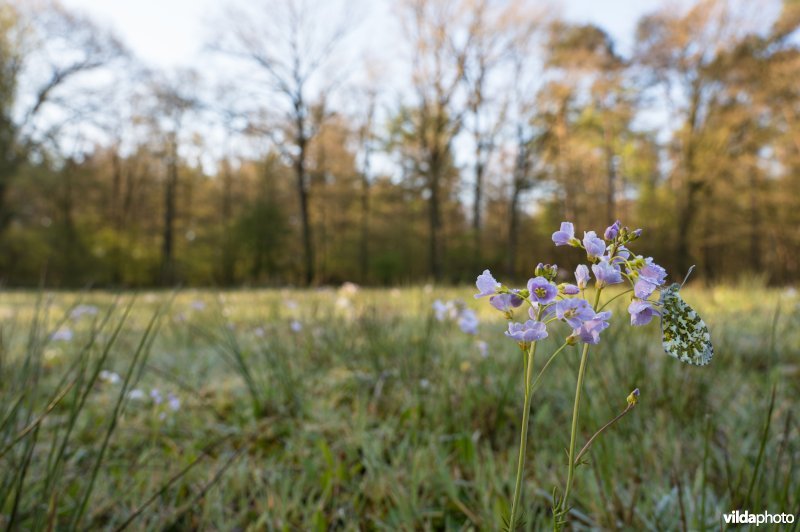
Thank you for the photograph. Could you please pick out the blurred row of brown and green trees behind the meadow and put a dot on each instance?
(465, 150)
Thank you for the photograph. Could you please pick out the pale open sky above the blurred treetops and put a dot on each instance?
(170, 33)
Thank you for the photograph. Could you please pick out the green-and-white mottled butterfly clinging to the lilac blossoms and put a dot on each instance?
(684, 334)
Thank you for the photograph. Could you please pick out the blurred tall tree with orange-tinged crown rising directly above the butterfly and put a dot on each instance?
(679, 51)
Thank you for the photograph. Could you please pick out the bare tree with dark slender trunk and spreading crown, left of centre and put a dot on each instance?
(289, 42)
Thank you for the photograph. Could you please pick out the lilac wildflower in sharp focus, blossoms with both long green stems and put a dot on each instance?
(550, 302)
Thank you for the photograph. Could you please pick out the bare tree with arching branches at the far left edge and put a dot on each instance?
(44, 50)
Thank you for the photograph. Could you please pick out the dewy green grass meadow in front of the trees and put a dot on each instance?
(376, 416)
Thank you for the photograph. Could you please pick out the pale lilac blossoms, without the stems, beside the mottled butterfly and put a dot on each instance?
(609, 261)
